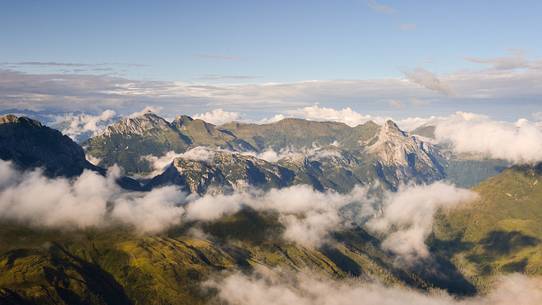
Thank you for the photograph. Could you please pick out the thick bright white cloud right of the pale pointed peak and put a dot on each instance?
(519, 142)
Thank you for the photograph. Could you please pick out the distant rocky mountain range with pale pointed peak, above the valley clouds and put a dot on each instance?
(300, 151)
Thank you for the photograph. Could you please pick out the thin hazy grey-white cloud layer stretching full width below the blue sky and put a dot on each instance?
(93, 93)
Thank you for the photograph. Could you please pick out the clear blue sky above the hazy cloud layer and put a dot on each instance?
(257, 42)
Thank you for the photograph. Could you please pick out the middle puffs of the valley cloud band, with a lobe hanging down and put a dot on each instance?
(308, 215)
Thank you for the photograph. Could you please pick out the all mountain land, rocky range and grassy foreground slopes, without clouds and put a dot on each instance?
(499, 233)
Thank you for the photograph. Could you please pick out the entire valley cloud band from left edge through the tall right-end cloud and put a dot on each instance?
(404, 219)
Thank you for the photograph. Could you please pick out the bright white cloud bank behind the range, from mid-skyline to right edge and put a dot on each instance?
(518, 142)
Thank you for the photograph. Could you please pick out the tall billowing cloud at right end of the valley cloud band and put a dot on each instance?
(407, 216)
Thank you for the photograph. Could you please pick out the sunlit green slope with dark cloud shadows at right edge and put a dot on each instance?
(501, 232)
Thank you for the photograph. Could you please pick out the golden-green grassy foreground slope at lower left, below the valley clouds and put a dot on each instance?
(114, 266)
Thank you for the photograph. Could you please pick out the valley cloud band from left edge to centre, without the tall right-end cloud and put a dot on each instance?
(92, 200)
